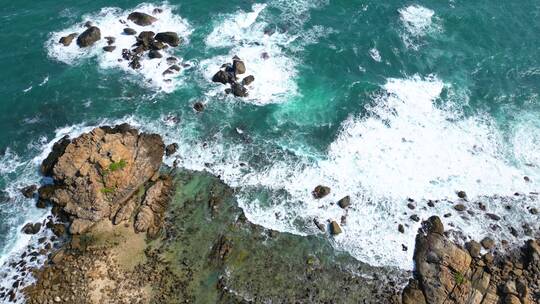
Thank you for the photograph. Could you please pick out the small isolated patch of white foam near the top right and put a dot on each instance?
(418, 22)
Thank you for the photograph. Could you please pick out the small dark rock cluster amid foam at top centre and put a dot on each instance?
(228, 75)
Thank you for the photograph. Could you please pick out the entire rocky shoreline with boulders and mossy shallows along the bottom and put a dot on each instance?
(126, 229)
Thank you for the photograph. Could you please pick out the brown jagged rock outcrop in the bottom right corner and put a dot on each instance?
(448, 273)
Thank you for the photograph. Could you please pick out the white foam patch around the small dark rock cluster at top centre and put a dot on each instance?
(263, 53)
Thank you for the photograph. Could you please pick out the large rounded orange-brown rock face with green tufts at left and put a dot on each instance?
(101, 170)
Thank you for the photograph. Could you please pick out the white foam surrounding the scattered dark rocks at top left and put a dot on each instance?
(108, 20)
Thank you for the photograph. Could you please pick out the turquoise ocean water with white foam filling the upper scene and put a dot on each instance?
(383, 101)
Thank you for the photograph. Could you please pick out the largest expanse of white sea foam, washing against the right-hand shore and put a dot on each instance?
(405, 147)
